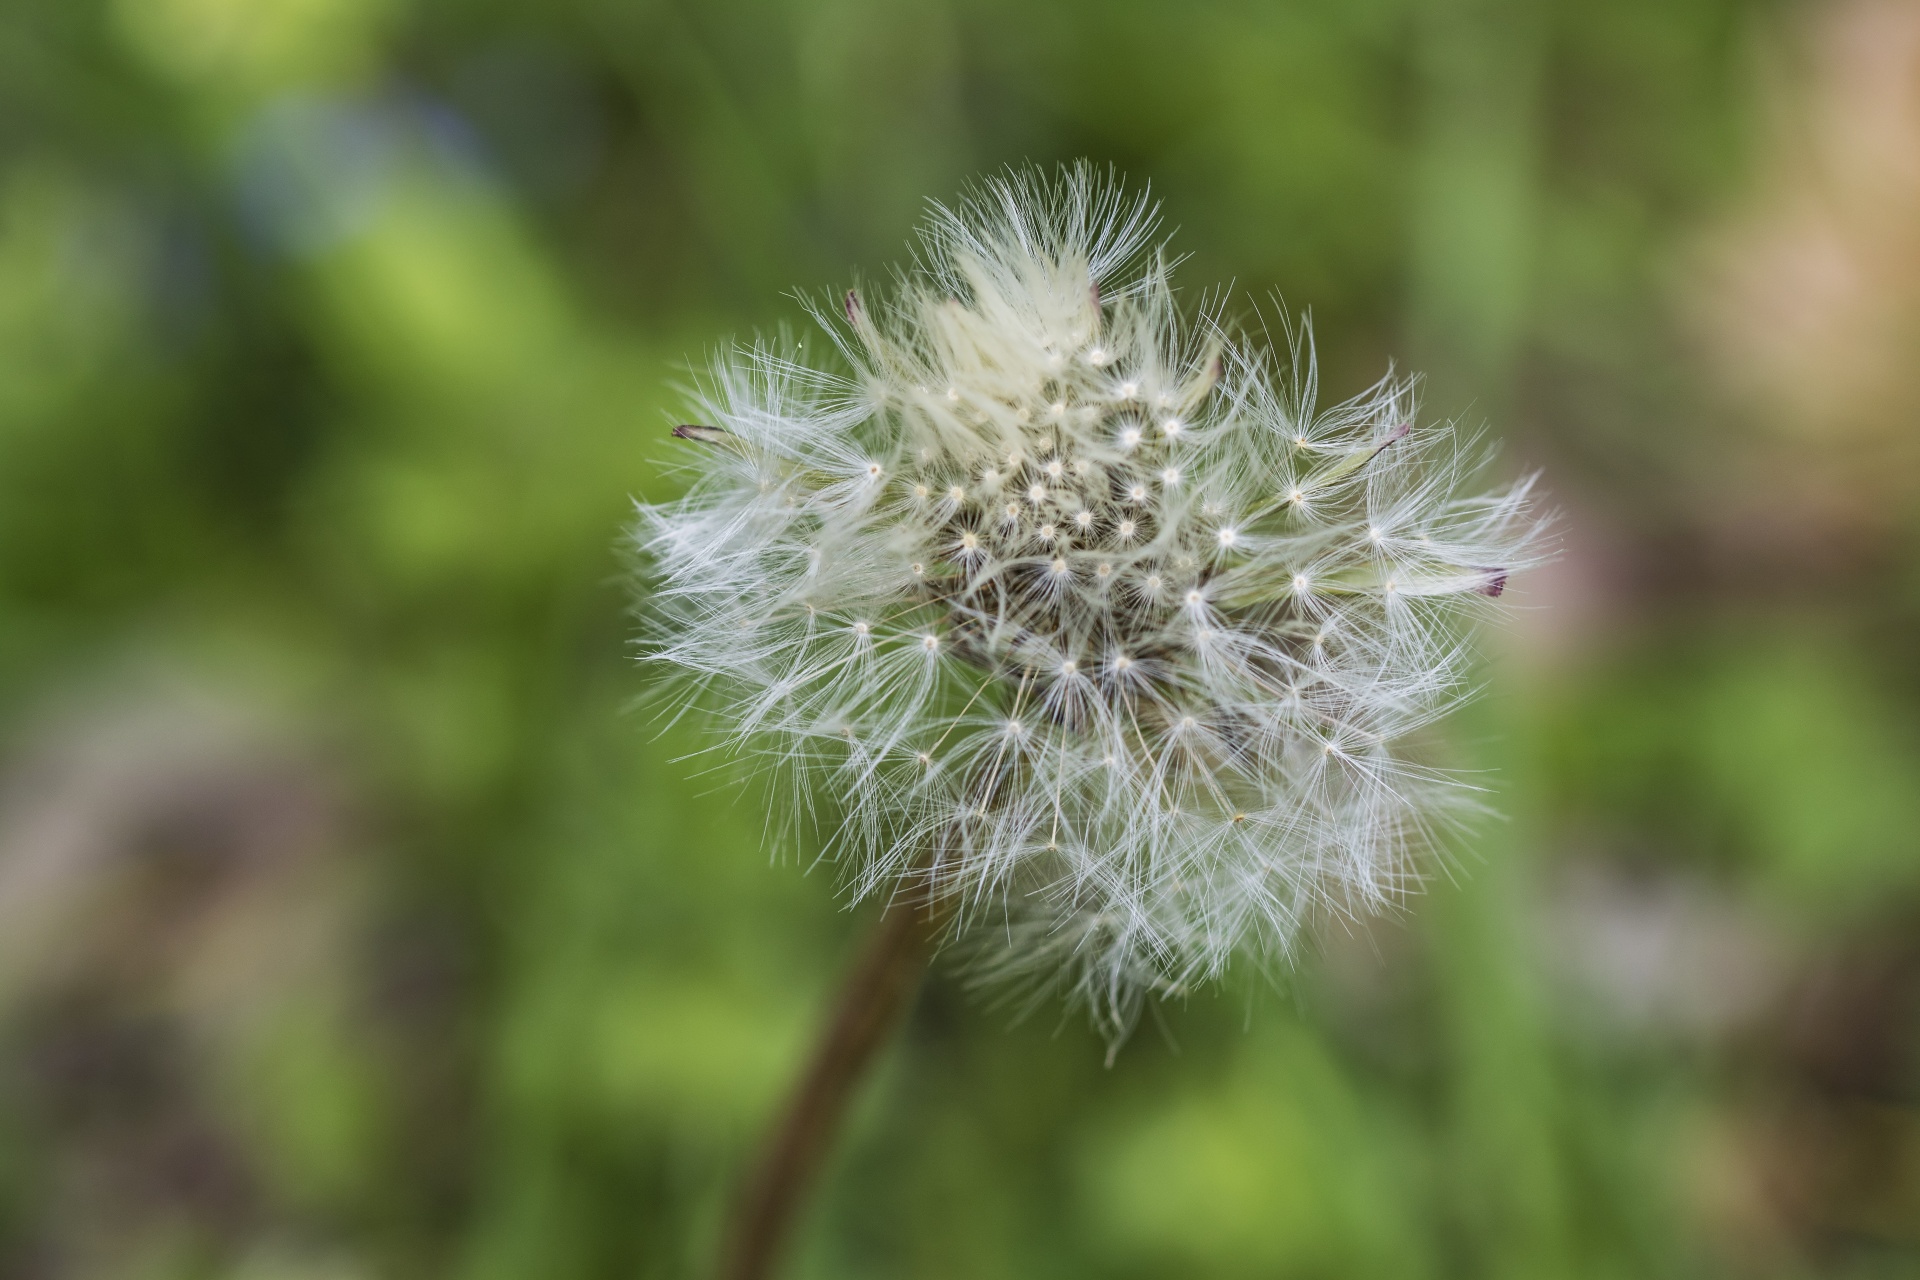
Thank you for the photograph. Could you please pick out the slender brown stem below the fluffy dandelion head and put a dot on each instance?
(871, 1005)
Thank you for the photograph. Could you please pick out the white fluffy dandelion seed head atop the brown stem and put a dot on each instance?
(1236, 765)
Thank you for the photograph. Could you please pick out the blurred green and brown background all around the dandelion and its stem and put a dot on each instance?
(356, 926)
